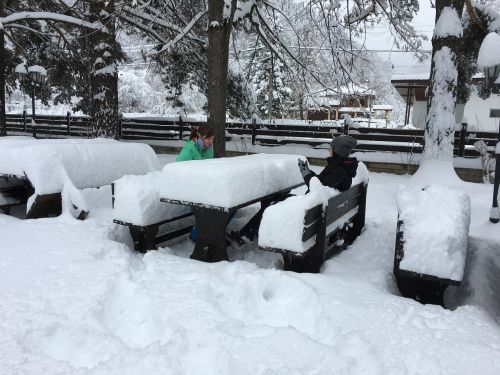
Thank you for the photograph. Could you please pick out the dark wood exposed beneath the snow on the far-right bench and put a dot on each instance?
(420, 287)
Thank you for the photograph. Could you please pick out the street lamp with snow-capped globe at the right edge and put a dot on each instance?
(489, 60)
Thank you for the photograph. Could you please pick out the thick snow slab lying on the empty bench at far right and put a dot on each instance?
(435, 230)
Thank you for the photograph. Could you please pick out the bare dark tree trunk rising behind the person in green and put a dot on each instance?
(219, 31)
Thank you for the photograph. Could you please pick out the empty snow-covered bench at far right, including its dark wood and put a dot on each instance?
(431, 241)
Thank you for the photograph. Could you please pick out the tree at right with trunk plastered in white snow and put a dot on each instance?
(460, 27)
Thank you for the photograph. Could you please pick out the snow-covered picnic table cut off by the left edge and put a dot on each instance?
(40, 171)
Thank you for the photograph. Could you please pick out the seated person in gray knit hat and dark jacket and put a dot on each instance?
(340, 167)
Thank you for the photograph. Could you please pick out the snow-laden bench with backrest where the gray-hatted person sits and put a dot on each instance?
(308, 229)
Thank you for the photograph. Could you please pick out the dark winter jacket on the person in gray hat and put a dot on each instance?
(337, 174)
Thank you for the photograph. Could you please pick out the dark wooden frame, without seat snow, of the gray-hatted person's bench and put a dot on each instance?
(334, 227)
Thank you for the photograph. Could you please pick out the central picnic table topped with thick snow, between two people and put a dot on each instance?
(216, 188)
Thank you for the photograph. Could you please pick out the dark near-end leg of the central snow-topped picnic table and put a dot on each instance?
(211, 242)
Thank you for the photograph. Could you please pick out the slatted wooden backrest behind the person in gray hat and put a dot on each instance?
(343, 219)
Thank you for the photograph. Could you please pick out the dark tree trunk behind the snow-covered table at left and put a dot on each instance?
(104, 71)
